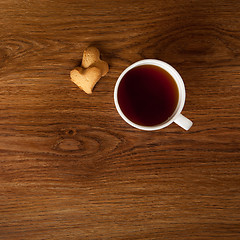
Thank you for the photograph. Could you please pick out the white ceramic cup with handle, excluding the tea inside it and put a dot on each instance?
(176, 117)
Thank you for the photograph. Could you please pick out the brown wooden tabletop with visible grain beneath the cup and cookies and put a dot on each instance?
(71, 168)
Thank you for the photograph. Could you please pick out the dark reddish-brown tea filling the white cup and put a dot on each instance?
(148, 95)
